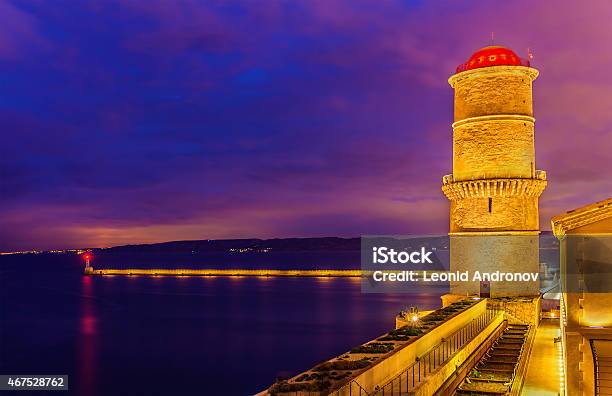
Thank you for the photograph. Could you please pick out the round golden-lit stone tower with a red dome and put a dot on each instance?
(494, 187)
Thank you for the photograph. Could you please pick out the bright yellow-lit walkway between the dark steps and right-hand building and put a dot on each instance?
(543, 371)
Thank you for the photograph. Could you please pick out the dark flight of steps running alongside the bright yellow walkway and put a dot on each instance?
(494, 373)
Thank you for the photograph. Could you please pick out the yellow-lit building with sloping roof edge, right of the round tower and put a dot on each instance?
(585, 236)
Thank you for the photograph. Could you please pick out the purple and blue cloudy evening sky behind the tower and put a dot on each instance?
(142, 121)
